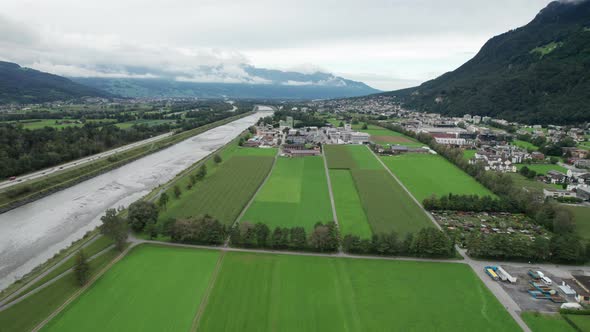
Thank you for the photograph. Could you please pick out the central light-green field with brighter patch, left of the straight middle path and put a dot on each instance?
(296, 194)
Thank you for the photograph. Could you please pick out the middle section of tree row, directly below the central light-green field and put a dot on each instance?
(323, 238)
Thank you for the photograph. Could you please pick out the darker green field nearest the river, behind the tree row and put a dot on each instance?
(227, 188)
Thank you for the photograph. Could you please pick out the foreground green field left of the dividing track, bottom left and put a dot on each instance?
(152, 289)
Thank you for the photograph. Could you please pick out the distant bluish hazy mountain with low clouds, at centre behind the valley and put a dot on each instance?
(257, 83)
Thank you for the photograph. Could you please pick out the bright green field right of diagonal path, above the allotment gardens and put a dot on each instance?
(427, 174)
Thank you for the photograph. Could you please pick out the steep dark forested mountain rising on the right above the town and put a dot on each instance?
(538, 73)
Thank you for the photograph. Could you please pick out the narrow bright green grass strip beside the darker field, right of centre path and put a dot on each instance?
(351, 216)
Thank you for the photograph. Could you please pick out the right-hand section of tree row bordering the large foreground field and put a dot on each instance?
(428, 242)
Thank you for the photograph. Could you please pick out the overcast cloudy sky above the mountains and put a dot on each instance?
(386, 44)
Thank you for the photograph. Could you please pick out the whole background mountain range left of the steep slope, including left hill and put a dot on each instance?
(24, 85)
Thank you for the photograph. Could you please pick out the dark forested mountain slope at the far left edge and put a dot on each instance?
(24, 85)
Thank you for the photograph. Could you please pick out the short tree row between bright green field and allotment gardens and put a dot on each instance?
(473, 203)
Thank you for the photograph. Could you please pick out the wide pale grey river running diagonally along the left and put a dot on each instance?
(33, 233)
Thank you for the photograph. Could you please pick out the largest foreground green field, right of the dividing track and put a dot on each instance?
(263, 292)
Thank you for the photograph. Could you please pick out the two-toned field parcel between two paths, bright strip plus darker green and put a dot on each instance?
(381, 200)
